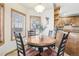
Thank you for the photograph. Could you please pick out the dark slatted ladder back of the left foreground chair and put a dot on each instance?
(20, 44)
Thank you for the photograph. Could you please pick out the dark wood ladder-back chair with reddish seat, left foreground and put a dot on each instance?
(20, 47)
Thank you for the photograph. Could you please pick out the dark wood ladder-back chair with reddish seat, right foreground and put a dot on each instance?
(51, 52)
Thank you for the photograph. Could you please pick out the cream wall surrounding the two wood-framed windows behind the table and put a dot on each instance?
(28, 12)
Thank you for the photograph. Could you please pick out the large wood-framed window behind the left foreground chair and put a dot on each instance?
(18, 23)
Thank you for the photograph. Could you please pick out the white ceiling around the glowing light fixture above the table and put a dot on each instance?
(32, 5)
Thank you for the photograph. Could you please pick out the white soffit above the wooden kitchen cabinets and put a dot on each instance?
(69, 9)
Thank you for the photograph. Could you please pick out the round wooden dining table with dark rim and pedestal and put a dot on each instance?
(40, 43)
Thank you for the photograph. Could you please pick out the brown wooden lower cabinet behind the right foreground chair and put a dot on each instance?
(72, 46)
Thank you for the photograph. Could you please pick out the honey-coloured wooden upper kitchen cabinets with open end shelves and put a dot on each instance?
(62, 21)
